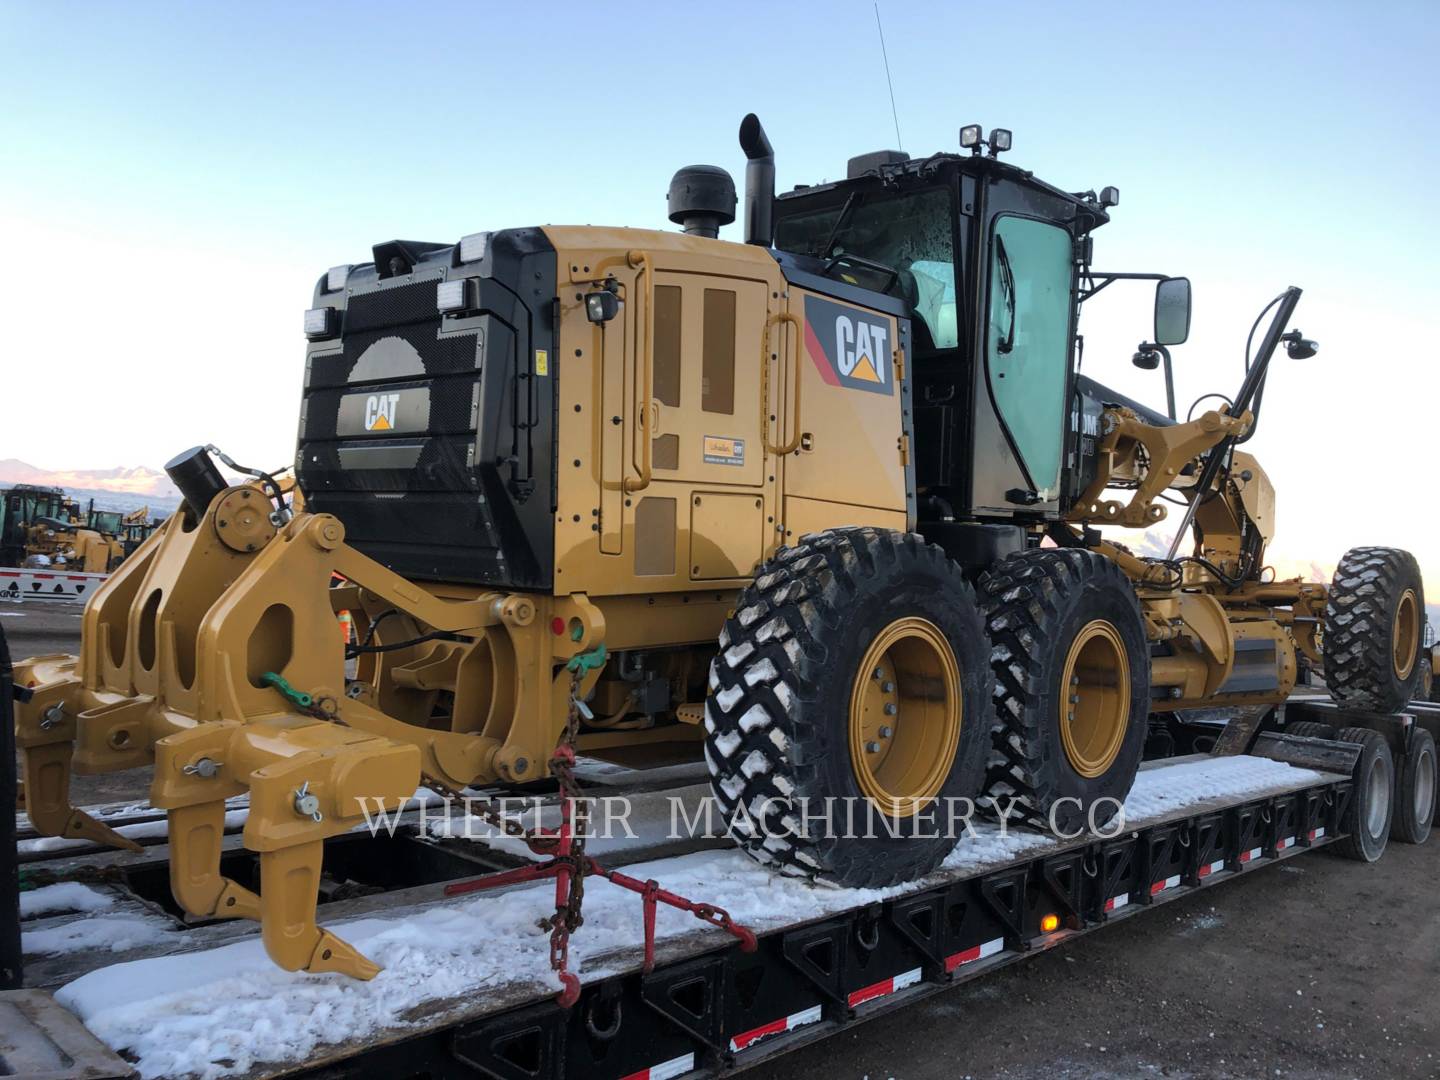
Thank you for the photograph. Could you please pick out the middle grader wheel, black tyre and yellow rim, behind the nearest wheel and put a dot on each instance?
(1072, 688)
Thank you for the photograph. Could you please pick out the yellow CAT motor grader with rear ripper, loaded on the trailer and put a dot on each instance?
(833, 506)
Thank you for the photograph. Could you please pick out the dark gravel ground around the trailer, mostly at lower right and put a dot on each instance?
(1321, 968)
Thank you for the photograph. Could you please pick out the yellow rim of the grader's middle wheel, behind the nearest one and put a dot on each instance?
(1095, 708)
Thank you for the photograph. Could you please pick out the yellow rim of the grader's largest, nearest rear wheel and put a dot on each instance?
(905, 718)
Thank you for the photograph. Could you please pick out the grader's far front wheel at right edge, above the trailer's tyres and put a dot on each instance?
(1374, 629)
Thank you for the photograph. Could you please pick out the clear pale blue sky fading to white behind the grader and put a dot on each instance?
(175, 176)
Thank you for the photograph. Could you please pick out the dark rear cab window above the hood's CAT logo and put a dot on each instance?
(898, 244)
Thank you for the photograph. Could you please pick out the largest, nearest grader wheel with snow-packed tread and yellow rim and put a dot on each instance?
(855, 670)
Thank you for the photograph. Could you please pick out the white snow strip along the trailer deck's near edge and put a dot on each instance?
(228, 1010)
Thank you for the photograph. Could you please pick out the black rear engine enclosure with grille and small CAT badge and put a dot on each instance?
(430, 436)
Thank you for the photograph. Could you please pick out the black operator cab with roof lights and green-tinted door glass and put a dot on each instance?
(991, 266)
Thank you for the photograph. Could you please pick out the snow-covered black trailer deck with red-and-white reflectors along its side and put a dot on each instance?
(467, 989)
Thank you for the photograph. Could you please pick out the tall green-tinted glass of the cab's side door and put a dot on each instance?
(1029, 339)
